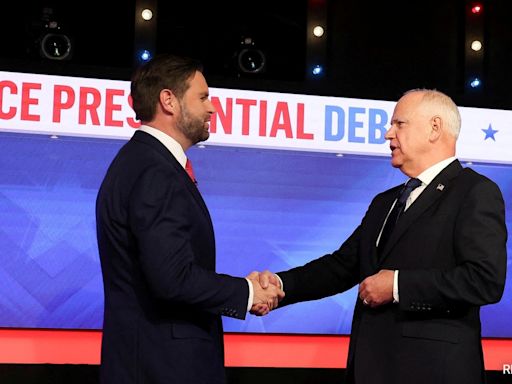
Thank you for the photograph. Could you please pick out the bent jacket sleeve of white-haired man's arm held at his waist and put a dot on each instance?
(479, 249)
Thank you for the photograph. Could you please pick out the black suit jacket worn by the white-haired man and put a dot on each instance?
(450, 250)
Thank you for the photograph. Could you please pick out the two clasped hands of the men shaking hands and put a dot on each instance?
(267, 292)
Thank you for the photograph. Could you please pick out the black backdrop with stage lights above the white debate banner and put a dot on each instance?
(374, 49)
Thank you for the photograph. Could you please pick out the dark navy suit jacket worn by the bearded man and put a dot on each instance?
(163, 299)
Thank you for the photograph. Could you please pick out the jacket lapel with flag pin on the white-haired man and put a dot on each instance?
(434, 191)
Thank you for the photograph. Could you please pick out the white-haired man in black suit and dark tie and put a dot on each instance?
(421, 283)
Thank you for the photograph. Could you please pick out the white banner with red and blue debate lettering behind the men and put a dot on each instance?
(75, 106)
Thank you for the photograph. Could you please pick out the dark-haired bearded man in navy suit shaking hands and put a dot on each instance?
(163, 298)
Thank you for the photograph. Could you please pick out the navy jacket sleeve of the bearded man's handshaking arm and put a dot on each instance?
(165, 227)
